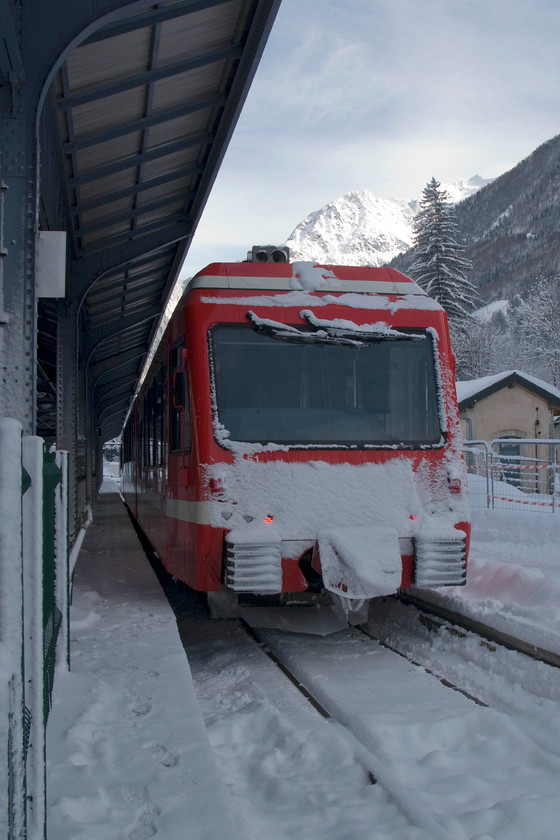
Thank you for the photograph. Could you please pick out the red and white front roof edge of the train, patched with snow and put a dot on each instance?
(298, 281)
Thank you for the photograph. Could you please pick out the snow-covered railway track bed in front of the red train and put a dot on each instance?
(425, 753)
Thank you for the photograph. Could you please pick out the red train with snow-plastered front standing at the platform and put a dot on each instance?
(298, 431)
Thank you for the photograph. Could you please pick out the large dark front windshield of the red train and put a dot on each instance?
(376, 392)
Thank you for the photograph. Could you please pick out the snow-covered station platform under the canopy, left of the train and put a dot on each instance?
(128, 753)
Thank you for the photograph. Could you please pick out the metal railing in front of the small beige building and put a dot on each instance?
(514, 473)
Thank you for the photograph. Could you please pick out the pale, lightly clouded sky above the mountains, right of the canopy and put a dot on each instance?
(380, 95)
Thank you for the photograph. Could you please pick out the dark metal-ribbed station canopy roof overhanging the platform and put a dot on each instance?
(139, 117)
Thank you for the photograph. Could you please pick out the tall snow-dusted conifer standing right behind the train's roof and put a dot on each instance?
(439, 267)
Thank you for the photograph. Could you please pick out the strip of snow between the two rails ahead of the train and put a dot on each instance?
(458, 770)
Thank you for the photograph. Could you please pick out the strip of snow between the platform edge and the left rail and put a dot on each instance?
(290, 773)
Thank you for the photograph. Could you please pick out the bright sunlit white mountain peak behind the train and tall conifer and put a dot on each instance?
(361, 229)
